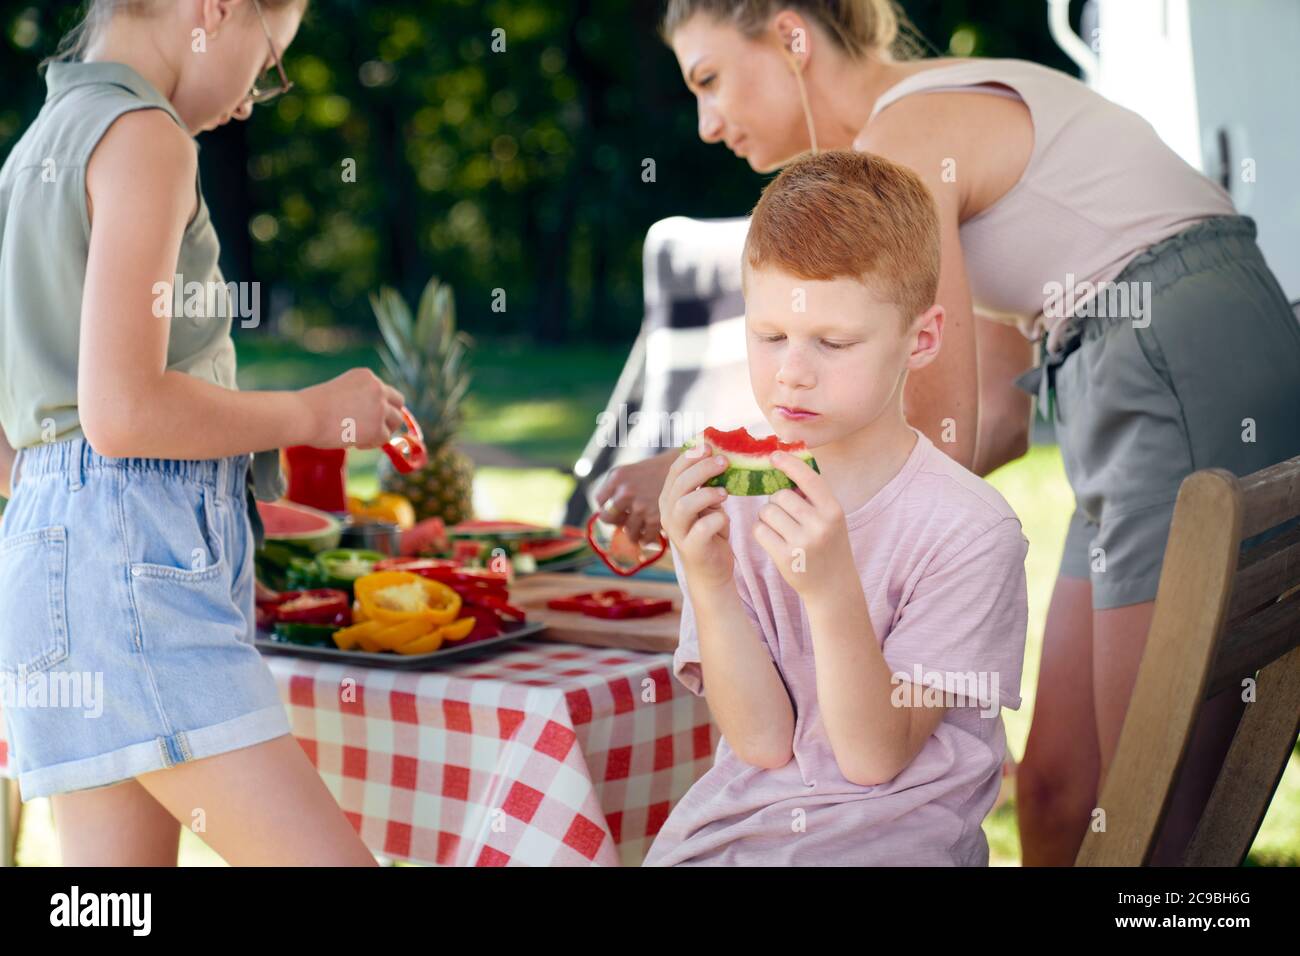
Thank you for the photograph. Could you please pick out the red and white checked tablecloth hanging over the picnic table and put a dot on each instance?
(539, 754)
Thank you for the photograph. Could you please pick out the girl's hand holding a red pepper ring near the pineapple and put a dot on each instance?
(353, 410)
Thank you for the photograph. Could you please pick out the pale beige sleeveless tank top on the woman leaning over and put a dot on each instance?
(1100, 187)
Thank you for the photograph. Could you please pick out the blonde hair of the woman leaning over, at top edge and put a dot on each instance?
(860, 28)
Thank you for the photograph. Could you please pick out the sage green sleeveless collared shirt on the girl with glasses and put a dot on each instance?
(45, 241)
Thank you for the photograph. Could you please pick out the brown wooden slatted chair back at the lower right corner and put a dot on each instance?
(1224, 616)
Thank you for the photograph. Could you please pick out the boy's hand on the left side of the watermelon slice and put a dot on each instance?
(694, 517)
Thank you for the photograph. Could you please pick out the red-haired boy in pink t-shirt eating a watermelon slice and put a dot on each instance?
(860, 633)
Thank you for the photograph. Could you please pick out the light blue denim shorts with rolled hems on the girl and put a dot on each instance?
(127, 617)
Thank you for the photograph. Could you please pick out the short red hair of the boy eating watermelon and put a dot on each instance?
(851, 215)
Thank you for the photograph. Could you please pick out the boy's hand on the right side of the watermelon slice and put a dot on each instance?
(805, 535)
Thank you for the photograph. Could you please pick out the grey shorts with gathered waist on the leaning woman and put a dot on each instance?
(1202, 371)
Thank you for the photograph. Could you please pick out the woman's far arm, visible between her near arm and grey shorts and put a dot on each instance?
(1004, 410)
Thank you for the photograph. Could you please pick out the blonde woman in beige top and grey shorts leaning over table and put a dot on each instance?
(1043, 187)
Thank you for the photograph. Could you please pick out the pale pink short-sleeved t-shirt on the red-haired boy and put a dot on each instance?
(942, 561)
